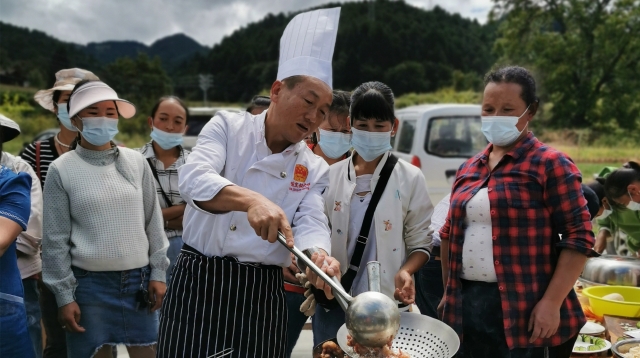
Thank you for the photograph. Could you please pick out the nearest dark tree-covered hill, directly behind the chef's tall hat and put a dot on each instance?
(412, 49)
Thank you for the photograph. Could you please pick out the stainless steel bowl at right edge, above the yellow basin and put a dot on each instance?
(611, 270)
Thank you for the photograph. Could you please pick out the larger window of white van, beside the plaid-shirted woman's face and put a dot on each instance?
(459, 136)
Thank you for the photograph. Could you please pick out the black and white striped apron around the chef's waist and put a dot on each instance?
(218, 303)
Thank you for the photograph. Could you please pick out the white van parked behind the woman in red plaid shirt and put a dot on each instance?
(438, 138)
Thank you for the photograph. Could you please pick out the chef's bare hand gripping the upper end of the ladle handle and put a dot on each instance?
(266, 218)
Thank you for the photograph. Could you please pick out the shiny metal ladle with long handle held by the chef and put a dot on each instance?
(372, 318)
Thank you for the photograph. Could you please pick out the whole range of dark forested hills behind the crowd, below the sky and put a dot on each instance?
(411, 49)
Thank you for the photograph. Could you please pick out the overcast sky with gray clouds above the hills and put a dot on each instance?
(207, 21)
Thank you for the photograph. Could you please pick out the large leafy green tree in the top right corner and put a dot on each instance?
(586, 51)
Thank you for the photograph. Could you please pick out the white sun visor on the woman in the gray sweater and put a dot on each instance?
(94, 92)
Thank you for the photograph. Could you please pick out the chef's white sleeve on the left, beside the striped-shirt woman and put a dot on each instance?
(200, 177)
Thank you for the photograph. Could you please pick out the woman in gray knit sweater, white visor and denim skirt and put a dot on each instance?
(104, 246)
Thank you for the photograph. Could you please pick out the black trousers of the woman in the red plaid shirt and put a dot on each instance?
(483, 329)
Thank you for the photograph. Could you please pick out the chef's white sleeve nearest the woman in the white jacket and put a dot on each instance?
(310, 225)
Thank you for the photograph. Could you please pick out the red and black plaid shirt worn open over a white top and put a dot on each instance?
(535, 194)
